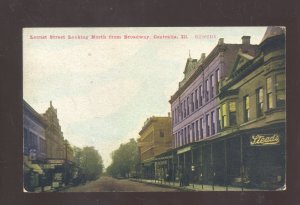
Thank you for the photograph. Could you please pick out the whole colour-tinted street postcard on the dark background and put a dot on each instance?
(154, 109)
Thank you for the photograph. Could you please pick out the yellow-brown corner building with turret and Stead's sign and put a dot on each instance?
(253, 114)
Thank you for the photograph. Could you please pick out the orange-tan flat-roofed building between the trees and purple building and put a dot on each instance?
(155, 138)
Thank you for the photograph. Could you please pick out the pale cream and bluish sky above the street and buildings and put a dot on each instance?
(105, 89)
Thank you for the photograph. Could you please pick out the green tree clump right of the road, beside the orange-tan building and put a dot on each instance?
(124, 159)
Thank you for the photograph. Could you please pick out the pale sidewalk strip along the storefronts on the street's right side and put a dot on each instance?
(193, 187)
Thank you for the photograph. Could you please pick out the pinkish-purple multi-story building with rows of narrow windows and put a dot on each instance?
(195, 105)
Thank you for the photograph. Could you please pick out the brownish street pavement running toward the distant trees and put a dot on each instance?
(109, 184)
